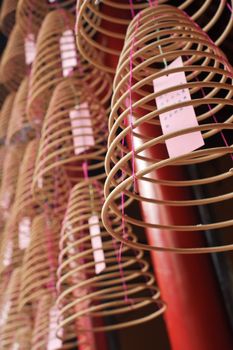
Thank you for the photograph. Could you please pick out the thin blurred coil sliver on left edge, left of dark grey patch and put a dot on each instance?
(5, 115)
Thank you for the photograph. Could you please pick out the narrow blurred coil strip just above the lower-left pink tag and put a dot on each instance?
(25, 203)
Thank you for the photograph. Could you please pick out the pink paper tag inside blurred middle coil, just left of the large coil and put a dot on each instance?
(82, 130)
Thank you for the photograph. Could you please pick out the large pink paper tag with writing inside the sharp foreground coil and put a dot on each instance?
(180, 118)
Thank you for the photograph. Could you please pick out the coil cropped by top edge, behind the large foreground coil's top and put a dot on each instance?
(102, 27)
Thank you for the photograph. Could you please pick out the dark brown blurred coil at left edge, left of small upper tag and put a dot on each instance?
(13, 68)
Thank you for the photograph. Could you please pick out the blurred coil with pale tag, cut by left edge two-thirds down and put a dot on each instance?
(11, 250)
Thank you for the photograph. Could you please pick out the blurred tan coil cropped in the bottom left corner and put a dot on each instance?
(11, 319)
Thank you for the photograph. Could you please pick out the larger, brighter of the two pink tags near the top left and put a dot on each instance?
(68, 52)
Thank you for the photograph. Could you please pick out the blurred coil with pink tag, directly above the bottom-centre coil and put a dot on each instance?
(74, 132)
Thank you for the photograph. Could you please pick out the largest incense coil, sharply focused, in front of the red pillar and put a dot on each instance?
(166, 35)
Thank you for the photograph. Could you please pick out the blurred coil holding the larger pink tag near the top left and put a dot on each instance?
(56, 59)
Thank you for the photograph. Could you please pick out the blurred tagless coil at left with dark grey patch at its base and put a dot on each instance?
(19, 129)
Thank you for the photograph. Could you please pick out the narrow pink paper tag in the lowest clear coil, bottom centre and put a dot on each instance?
(97, 245)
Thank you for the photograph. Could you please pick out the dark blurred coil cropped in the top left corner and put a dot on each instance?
(7, 16)
